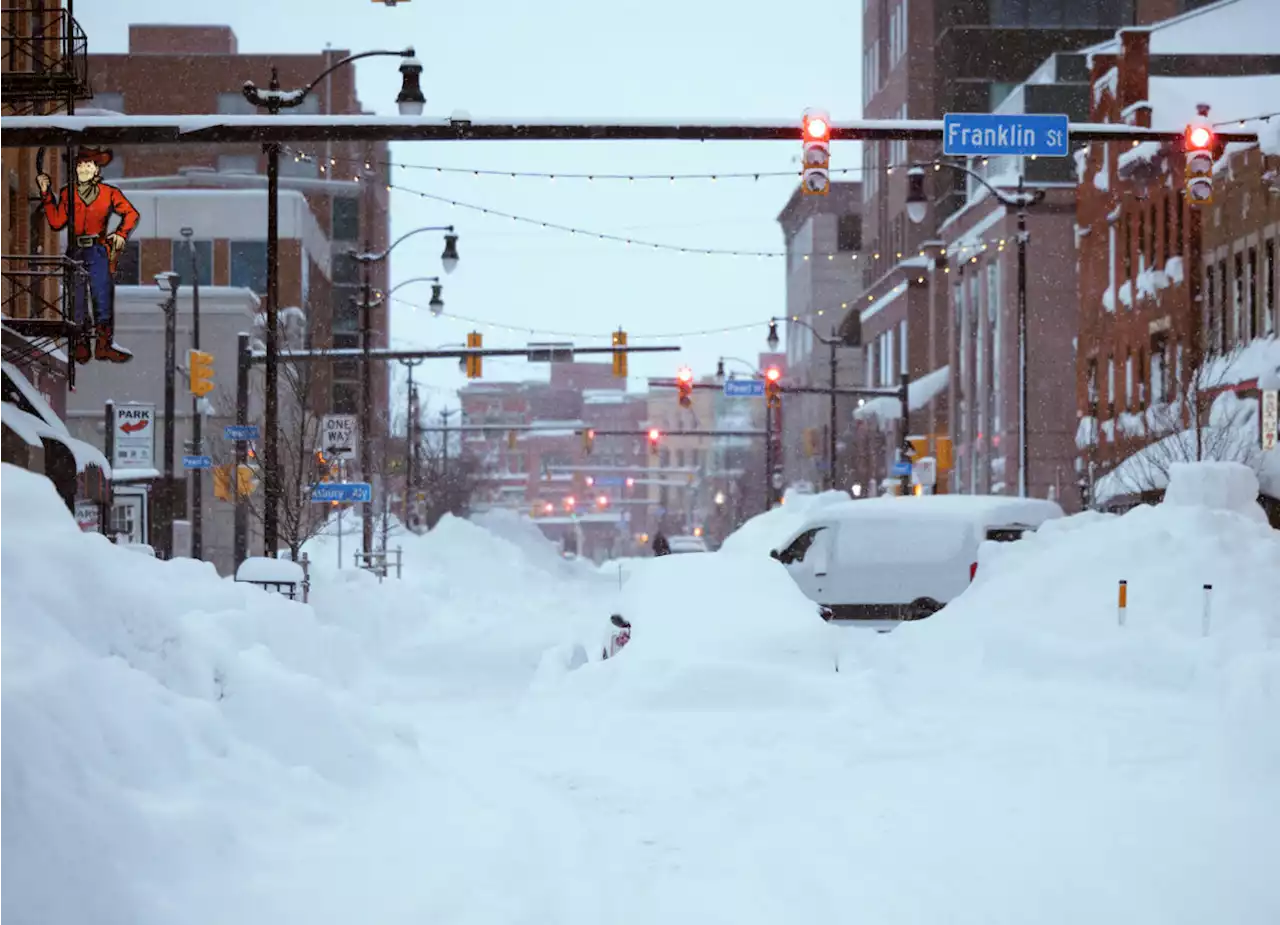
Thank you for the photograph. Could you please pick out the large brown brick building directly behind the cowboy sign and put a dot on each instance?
(199, 70)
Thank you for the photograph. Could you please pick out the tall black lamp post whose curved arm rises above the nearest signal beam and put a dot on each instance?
(273, 100)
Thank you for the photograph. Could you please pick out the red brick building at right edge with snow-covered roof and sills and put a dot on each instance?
(1177, 304)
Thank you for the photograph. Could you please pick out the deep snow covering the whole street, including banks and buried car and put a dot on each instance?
(418, 752)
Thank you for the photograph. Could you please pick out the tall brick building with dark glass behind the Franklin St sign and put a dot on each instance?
(921, 61)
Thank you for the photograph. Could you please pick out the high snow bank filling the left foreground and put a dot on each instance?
(154, 716)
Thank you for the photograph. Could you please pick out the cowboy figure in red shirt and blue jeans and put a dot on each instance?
(94, 246)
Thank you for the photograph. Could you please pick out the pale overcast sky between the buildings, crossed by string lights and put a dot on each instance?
(668, 59)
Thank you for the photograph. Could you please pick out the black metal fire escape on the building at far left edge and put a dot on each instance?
(44, 70)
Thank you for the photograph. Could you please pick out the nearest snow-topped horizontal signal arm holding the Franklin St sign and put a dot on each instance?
(35, 131)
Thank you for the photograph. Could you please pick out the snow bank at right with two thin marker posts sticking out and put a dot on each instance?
(1046, 607)
